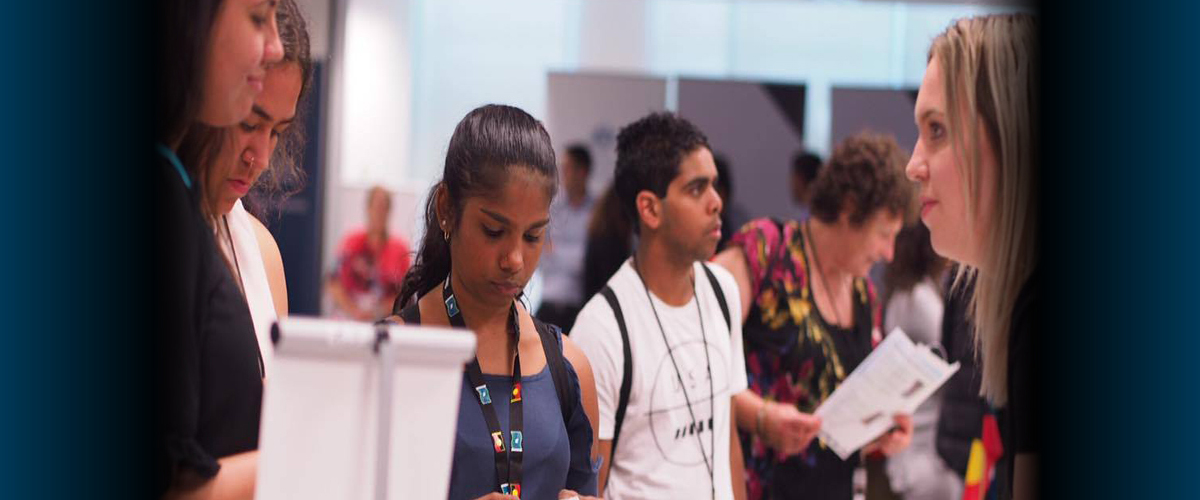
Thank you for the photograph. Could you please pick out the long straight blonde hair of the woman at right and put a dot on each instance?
(991, 65)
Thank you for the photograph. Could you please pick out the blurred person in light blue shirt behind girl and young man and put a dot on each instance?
(562, 267)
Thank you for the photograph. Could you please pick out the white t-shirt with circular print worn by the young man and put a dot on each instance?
(659, 455)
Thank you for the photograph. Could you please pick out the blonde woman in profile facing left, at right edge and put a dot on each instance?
(976, 162)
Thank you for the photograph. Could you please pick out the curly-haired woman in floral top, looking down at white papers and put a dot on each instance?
(813, 316)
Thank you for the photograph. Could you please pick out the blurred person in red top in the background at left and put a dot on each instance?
(371, 266)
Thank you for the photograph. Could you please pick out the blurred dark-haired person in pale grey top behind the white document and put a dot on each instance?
(915, 305)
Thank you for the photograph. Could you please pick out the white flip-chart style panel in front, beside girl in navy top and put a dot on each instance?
(322, 429)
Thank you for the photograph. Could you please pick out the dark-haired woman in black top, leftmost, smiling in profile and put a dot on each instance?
(211, 59)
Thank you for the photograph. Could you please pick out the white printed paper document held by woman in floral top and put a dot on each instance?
(897, 377)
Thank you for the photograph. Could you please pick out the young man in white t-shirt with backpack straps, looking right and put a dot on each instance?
(677, 437)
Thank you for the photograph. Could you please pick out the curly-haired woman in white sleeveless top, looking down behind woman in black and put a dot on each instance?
(259, 159)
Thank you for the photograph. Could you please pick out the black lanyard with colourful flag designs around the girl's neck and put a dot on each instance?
(508, 462)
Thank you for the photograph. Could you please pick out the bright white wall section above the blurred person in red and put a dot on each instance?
(369, 130)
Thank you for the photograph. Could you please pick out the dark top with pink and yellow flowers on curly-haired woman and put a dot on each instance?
(795, 357)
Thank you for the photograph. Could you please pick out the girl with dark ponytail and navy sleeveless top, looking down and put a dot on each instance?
(485, 228)
